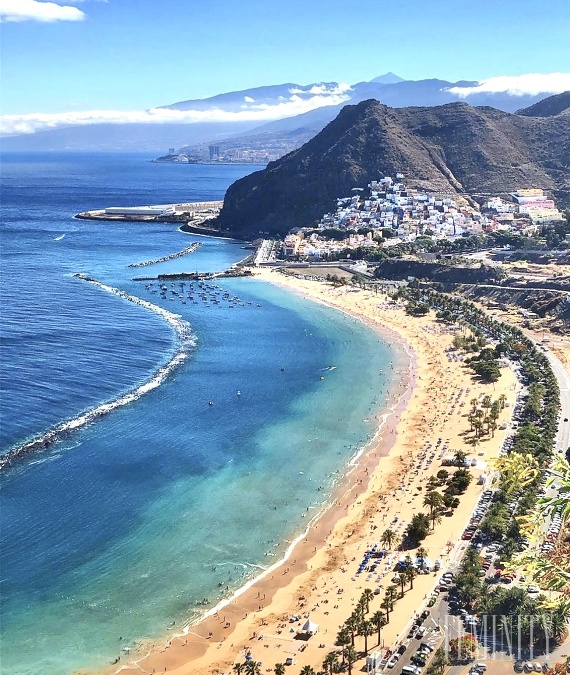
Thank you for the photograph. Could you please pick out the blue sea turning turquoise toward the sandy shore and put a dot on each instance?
(124, 526)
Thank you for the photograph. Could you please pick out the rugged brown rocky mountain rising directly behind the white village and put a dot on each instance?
(453, 148)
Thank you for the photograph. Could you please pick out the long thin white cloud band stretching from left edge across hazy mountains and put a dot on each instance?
(30, 123)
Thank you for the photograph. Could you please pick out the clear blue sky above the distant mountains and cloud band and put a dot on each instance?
(67, 56)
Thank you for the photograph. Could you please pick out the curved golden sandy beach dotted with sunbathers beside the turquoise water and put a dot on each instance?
(319, 579)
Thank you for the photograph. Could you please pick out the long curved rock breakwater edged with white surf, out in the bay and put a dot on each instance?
(185, 341)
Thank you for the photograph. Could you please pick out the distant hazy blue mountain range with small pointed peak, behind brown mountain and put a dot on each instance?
(388, 88)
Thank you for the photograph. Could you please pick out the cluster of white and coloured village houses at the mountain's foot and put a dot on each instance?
(390, 213)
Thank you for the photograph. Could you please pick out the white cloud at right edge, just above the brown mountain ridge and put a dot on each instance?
(518, 85)
